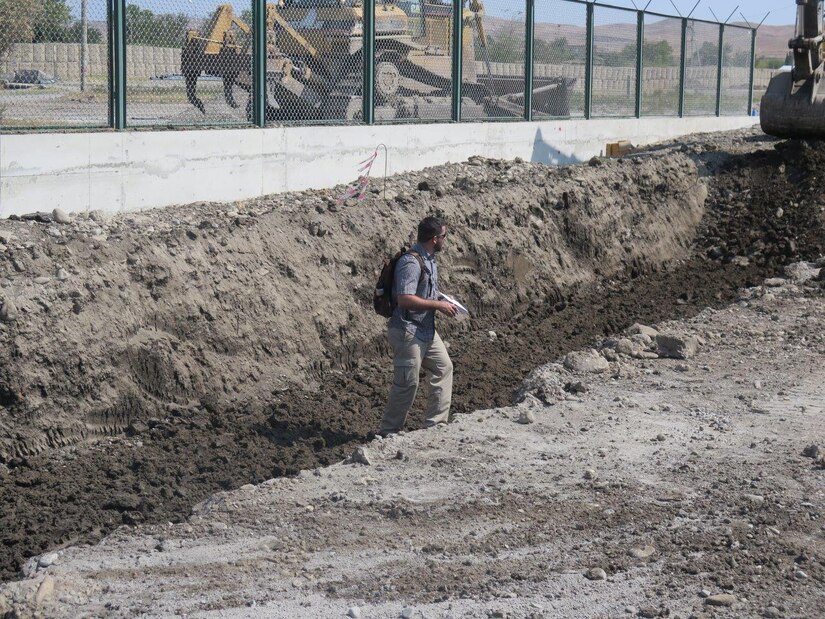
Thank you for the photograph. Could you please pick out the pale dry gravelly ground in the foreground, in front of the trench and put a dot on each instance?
(657, 488)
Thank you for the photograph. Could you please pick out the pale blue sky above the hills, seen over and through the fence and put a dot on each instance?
(782, 12)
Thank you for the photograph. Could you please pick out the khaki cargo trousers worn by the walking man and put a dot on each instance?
(409, 355)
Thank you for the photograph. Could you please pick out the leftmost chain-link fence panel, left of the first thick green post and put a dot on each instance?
(54, 64)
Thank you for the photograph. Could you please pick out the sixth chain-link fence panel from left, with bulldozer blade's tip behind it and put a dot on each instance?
(559, 59)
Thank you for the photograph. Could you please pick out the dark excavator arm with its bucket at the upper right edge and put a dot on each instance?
(794, 105)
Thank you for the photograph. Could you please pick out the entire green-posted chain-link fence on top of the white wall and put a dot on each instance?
(178, 63)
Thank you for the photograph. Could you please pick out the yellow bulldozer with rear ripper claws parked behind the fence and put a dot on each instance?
(314, 62)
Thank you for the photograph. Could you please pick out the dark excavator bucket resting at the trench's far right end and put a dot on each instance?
(786, 115)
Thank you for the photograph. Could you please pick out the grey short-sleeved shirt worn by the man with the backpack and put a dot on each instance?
(409, 279)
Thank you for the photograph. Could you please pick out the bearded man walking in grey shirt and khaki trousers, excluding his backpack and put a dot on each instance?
(412, 335)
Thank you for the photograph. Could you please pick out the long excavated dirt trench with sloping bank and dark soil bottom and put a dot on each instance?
(153, 359)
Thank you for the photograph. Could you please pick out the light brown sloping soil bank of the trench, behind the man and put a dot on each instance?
(206, 305)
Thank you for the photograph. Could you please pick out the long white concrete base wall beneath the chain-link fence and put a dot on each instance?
(128, 171)
